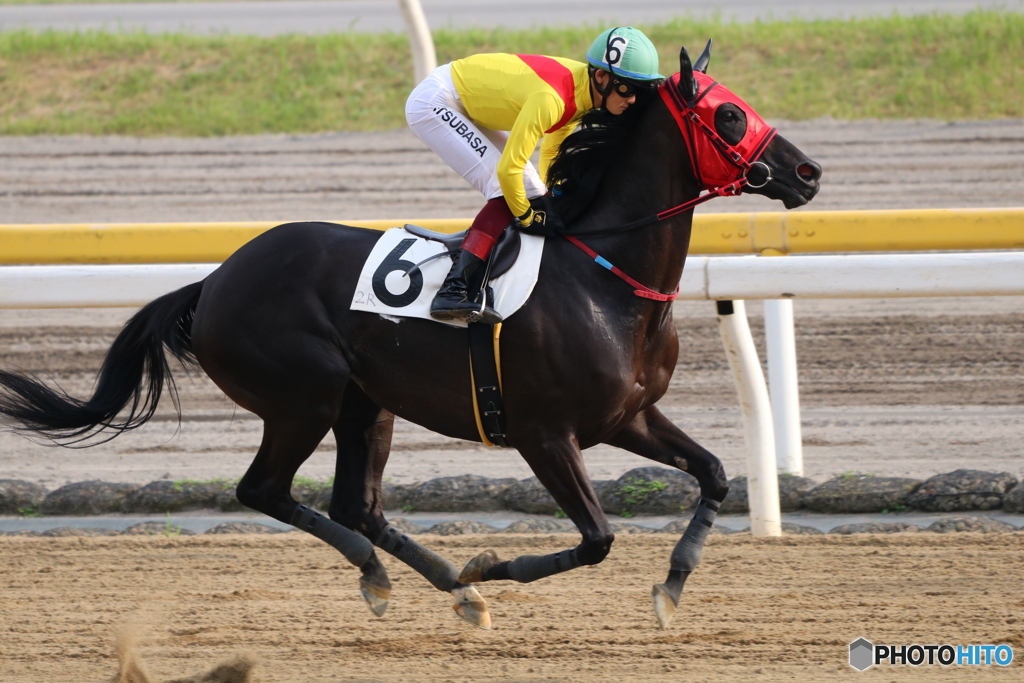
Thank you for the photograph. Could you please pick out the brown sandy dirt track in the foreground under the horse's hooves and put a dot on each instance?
(756, 611)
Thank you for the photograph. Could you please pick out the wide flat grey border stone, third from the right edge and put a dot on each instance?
(850, 494)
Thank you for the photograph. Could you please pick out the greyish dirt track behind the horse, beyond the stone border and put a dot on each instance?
(903, 388)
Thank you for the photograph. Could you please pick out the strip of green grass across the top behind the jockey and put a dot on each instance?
(94, 83)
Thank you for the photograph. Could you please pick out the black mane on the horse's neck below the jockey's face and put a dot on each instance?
(586, 155)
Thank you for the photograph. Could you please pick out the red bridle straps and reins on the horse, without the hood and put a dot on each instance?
(680, 109)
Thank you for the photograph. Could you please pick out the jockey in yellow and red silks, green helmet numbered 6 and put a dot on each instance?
(485, 115)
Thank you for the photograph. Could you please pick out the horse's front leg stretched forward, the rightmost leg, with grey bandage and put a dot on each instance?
(653, 436)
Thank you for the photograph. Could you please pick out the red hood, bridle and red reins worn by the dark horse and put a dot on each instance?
(721, 168)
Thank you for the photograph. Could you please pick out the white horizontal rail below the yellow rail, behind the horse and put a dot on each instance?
(712, 278)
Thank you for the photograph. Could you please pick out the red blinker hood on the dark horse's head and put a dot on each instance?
(715, 162)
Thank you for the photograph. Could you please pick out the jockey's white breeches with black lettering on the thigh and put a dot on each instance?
(437, 115)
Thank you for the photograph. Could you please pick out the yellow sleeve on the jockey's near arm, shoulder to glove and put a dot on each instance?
(539, 113)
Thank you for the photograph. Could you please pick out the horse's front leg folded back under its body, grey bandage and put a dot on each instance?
(559, 464)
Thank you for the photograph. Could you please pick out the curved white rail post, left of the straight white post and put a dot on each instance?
(762, 476)
